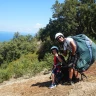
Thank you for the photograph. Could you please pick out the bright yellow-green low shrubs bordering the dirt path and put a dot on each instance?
(28, 65)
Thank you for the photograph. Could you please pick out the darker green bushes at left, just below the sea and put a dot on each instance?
(16, 47)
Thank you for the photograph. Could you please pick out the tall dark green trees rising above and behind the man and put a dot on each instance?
(71, 17)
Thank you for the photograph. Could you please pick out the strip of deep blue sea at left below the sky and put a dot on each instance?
(7, 36)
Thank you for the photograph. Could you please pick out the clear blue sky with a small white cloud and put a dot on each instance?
(25, 16)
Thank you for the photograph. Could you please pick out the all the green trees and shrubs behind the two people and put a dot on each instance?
(27, 55)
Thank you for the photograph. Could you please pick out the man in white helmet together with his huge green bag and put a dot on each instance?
(81, 56)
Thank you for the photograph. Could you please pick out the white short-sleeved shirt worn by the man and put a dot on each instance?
(67, 45)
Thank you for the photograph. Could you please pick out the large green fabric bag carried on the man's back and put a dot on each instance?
(84, 51)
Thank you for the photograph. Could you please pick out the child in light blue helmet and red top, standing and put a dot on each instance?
(56, 66)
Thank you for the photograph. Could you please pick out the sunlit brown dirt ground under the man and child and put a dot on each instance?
(38, 86)
